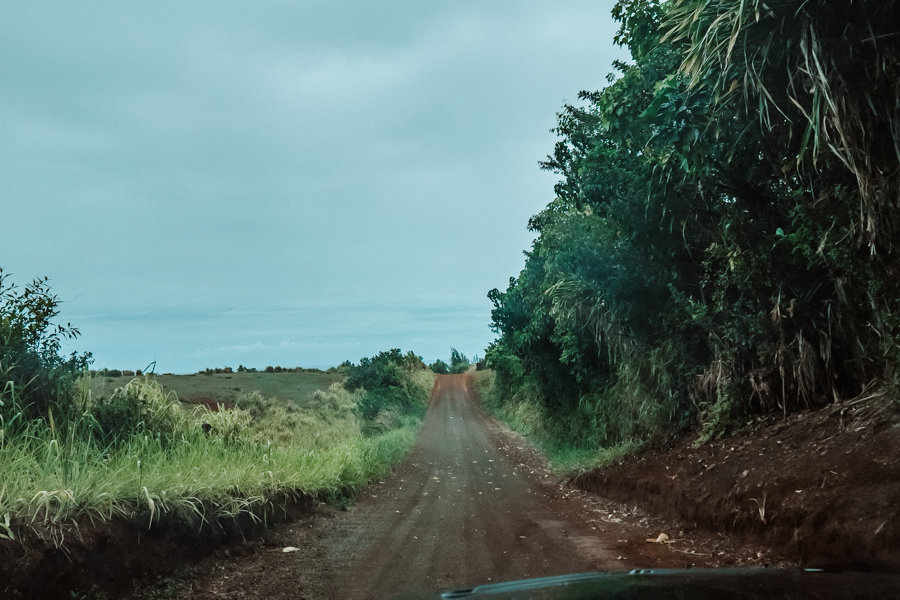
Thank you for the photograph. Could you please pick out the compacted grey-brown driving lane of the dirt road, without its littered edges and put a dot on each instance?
(461, 512)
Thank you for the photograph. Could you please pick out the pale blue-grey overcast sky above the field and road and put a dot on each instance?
(214, 183)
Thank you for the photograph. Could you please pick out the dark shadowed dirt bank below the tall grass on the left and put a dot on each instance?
(108, 558)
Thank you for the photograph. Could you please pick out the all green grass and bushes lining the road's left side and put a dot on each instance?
(70, 457)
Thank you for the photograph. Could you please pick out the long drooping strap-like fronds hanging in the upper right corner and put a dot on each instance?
(826, 72)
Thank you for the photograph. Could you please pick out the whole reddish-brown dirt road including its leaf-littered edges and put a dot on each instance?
(472, 504)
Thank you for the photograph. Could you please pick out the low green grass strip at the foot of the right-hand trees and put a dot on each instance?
(524, 415)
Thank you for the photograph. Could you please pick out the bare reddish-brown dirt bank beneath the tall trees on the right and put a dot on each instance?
(818, 488)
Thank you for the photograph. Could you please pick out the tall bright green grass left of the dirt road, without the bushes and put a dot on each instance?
(163, 461)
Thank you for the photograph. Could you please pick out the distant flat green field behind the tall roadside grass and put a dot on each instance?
(288, 386)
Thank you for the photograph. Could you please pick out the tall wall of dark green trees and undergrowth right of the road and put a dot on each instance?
(723, 238)
